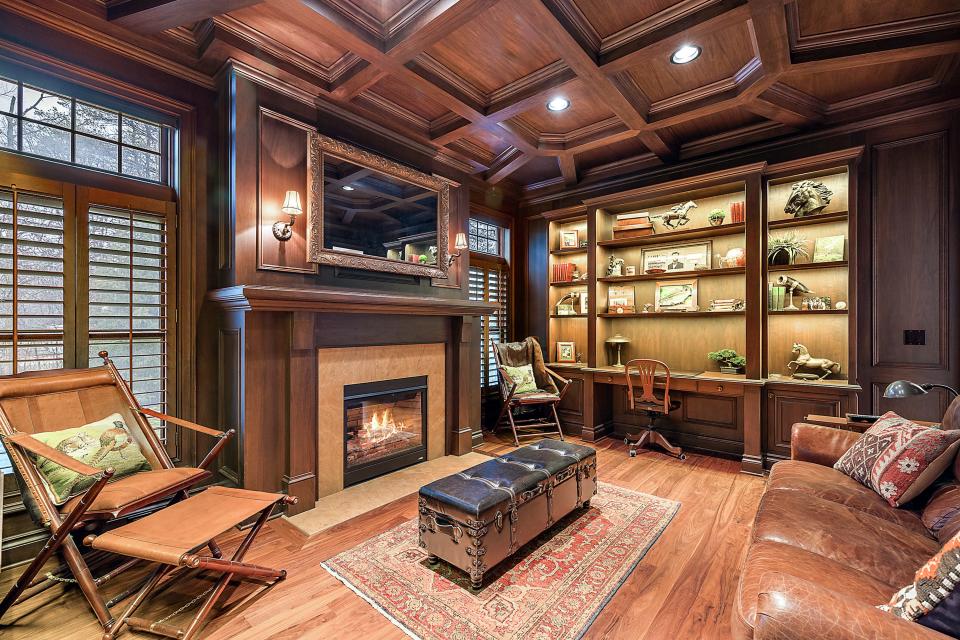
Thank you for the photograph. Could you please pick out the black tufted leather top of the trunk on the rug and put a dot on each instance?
(490, 484)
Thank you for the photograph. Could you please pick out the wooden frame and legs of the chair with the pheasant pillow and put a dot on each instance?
(19, 447)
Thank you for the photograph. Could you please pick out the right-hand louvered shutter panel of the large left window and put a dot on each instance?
(129, 300)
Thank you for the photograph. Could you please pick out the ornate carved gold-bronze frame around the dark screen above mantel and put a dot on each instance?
(322, 146)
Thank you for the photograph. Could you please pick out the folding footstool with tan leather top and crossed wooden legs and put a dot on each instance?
(174, 538)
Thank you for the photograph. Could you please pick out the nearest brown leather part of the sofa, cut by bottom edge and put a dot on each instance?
(789, 608)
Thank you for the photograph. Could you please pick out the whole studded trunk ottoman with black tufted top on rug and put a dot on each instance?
(477, 518)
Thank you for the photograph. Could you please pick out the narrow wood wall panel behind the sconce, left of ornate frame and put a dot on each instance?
(284, 165)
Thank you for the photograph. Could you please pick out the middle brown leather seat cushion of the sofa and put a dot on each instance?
(880, 548)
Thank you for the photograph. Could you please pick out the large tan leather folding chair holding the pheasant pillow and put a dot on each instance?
(44, 401)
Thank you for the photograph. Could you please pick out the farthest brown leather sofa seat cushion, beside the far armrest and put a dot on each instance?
(830, 484)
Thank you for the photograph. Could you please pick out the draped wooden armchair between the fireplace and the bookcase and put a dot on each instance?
(546, 395)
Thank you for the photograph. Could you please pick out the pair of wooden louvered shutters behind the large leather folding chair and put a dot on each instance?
(79, 278)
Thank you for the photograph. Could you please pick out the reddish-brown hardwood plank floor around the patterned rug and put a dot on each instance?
(683, 588)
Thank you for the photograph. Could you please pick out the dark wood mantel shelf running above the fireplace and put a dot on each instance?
(334, 300)
